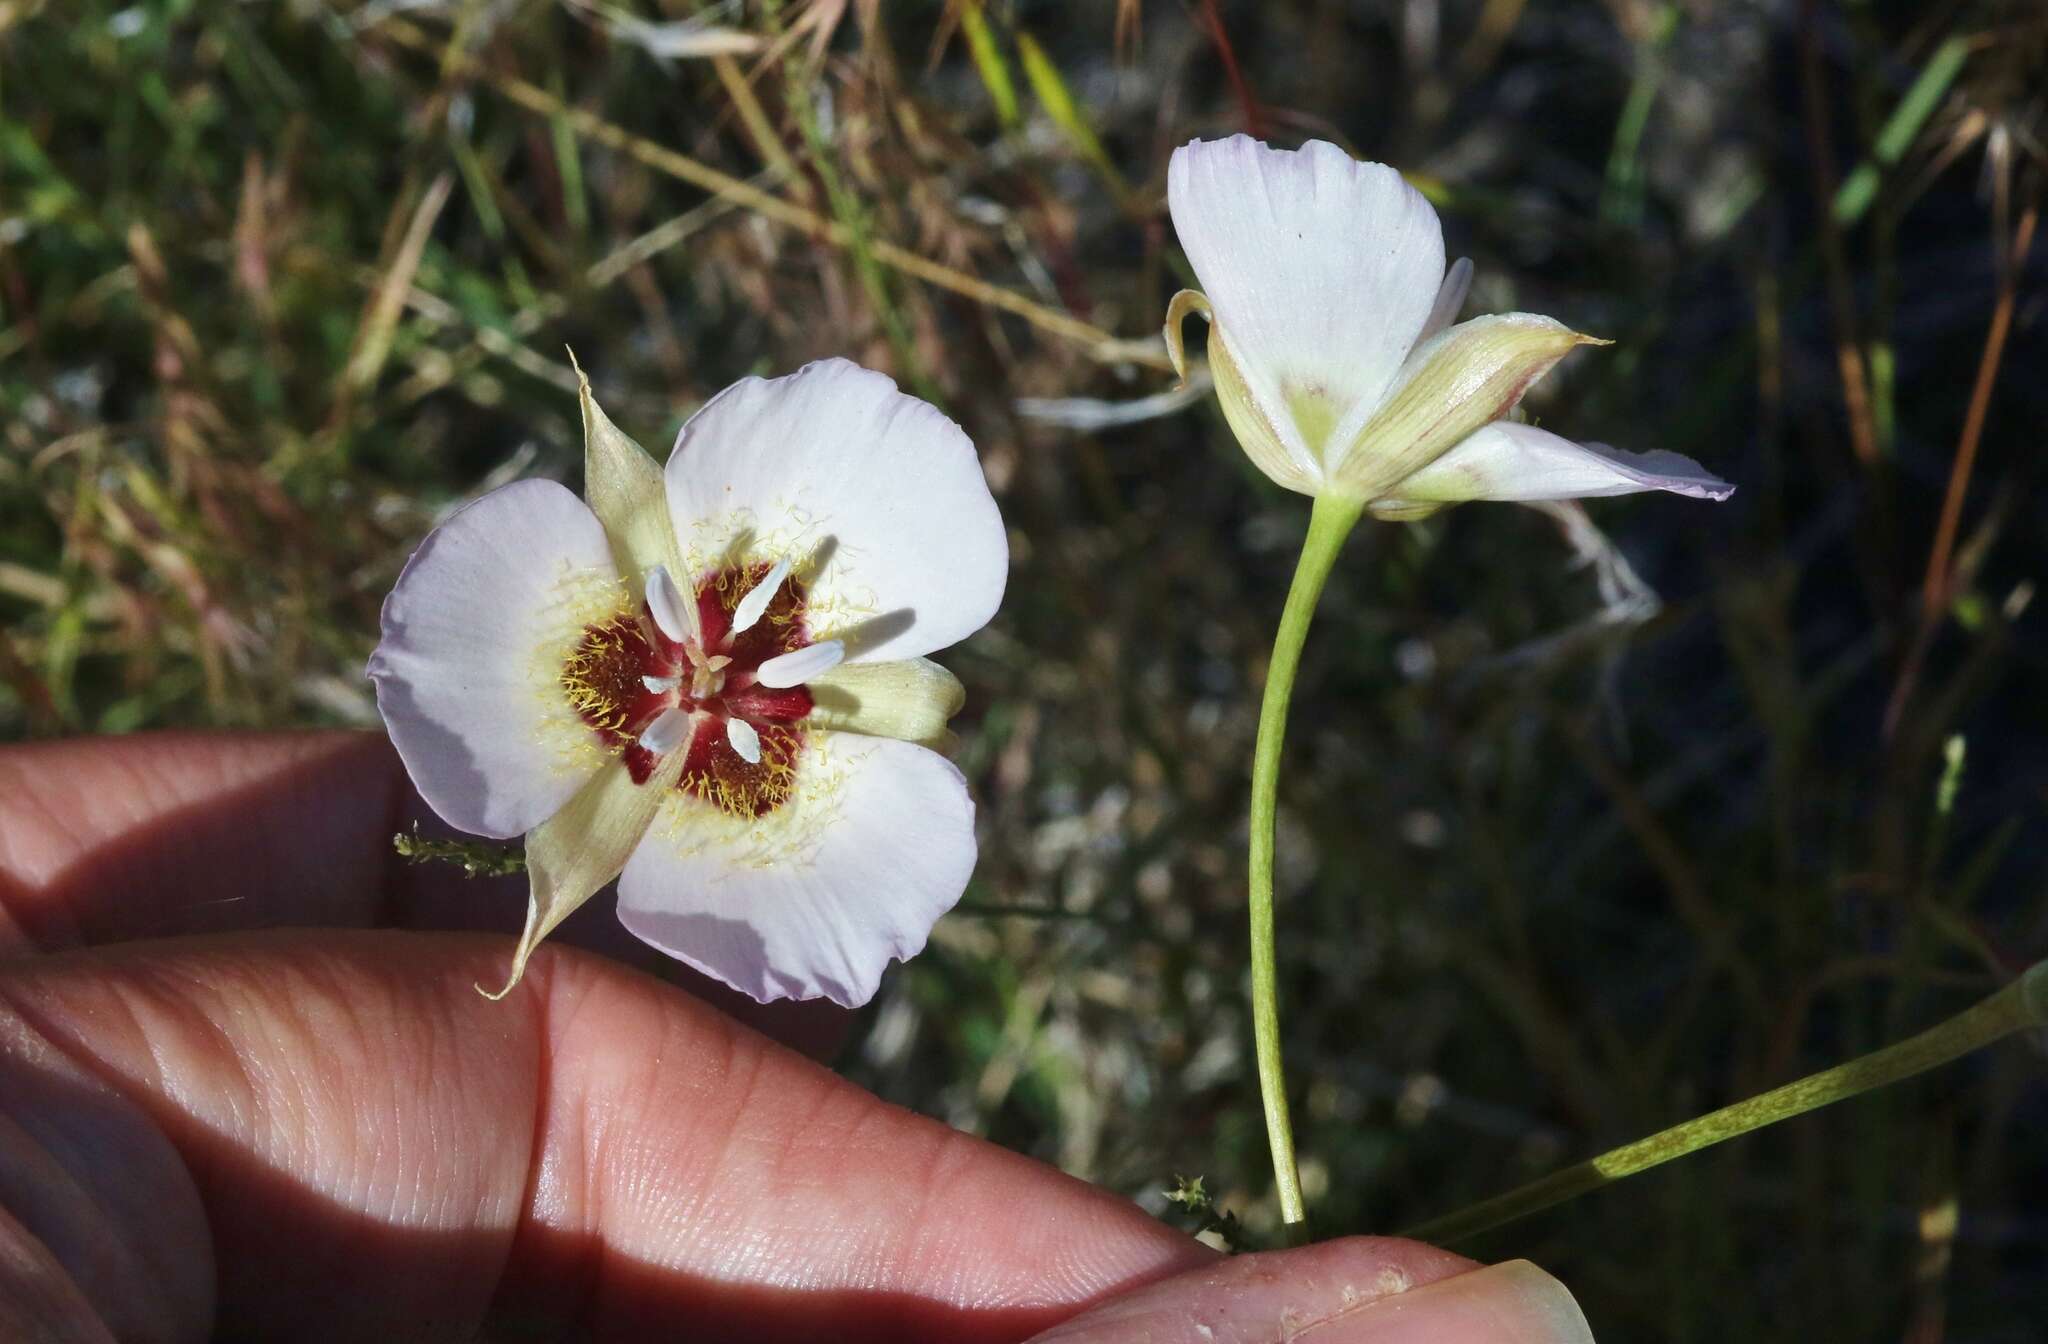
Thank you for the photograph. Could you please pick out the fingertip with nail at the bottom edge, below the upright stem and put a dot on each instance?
(1355, 1292)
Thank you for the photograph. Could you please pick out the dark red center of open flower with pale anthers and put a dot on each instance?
(726, 694)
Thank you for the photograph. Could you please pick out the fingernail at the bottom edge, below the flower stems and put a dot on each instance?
(1500, 1304)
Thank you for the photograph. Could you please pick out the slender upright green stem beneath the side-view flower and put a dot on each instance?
(1330, 523)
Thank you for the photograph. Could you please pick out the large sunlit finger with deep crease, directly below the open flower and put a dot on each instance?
(384, 1154)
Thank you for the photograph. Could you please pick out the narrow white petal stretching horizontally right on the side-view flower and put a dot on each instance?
(1521, 462)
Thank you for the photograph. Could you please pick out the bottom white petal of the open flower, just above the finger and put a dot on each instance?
(816, 898)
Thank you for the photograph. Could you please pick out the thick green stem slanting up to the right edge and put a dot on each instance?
(2012, 1009)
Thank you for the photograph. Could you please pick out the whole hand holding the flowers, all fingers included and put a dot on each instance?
(249, 1091)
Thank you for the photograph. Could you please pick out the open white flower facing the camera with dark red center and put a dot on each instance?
(710, 683)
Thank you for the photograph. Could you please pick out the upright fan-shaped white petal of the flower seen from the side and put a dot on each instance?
(1320, 269)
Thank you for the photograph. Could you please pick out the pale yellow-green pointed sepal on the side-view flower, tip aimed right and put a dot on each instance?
(1453, 384)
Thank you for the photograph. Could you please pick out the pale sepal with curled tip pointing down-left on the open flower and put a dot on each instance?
(583, 847)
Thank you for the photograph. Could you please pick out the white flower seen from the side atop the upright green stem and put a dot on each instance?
(1334, 351)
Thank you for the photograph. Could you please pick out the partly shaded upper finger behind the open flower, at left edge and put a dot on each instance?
(161, 835)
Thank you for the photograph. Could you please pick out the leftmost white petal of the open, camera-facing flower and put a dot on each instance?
(472, 638)
